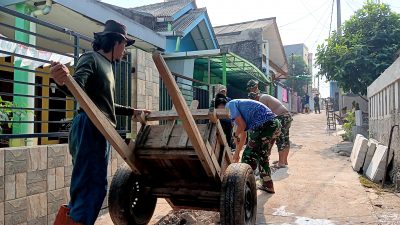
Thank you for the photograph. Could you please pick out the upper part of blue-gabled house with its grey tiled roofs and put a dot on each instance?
(174, 18)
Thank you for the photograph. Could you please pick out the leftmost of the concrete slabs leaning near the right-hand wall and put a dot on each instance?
(359, 152)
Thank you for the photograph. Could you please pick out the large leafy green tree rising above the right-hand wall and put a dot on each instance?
(370, 41)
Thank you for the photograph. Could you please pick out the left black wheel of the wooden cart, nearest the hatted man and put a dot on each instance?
(128, 201)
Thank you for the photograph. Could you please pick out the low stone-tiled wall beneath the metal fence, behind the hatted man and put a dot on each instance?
(34, 182)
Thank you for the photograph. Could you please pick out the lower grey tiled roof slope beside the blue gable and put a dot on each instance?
(184, 21)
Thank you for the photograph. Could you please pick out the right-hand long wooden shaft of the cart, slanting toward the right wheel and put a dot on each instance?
(184, 114)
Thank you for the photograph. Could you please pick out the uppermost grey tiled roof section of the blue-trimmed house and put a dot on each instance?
(164, 9)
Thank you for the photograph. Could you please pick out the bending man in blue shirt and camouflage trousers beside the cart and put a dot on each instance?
(263, 128)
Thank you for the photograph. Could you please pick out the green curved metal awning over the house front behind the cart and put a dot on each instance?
(236, 69)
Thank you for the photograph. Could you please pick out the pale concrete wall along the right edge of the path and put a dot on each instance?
(384, 112)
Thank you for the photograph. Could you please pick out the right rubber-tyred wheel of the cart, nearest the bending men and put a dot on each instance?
(238, 203)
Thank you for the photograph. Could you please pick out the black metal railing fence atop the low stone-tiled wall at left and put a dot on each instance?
(31, 105)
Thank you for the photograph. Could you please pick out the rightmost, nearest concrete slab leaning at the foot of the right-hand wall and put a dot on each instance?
(376, 168)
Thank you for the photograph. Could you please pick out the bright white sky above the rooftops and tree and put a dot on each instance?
(299, 21)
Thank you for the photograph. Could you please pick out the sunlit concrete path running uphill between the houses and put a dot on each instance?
(318, 188)
